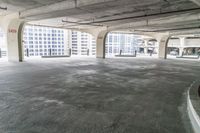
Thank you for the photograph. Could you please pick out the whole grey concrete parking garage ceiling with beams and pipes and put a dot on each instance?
(127, 15)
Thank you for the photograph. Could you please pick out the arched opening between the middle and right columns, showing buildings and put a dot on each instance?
(124, 44)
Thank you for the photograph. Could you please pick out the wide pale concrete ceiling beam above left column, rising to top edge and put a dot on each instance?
(60, 9)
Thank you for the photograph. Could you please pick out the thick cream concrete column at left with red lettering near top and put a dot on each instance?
(14, 40)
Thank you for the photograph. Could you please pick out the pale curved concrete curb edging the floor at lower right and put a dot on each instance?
(193, 115)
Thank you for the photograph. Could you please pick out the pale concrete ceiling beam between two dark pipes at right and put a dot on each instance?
(161, 21)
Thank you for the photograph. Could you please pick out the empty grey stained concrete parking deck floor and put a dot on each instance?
(95, 96)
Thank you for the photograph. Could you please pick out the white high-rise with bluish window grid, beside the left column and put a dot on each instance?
(45, 41)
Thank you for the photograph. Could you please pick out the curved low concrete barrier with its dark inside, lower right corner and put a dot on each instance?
(192, 97)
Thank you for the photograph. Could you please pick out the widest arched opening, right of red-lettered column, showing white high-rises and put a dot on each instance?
(46, 41)
